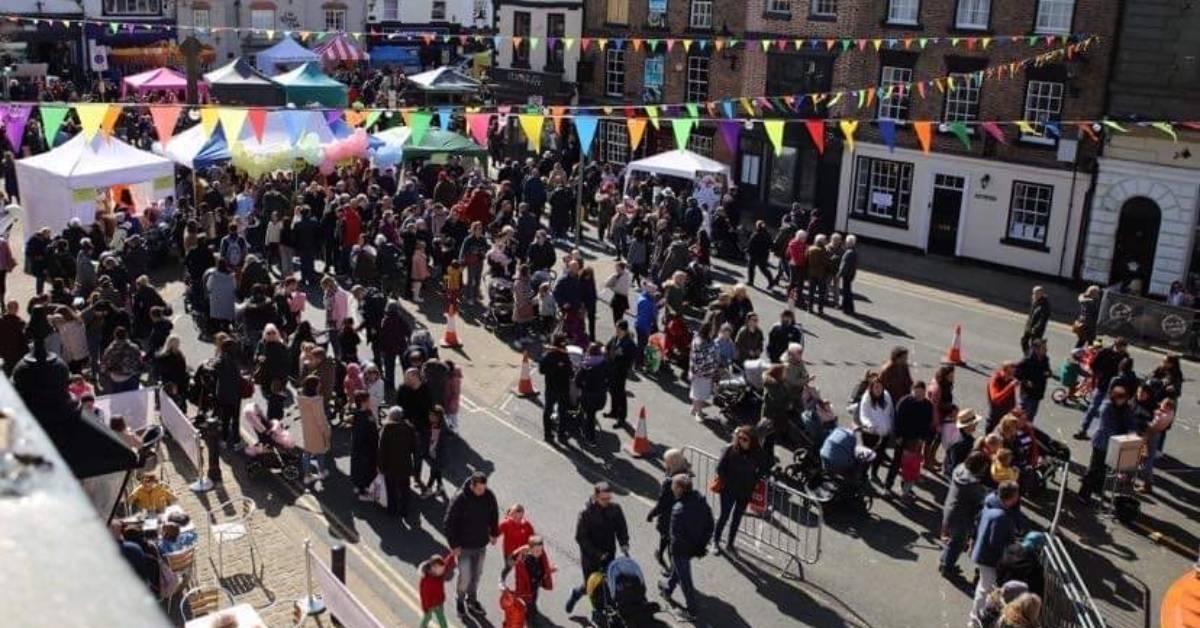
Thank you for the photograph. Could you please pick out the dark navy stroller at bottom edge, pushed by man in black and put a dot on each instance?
(619, 597)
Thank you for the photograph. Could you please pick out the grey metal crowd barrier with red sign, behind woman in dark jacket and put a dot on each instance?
(779, 519)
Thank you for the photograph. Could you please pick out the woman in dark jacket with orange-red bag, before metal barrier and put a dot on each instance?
(739, 471)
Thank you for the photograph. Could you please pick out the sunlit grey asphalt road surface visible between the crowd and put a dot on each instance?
(877, 570)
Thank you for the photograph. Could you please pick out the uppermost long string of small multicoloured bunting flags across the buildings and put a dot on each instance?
(497, 41)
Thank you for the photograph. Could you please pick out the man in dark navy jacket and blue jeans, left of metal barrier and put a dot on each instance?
(692, 523)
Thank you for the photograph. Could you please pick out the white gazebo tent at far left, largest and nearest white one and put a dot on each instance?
(64, 183)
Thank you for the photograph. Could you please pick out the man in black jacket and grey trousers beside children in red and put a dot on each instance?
(472, 523)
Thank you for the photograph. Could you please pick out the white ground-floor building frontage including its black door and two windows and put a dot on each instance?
(1009, 214)
